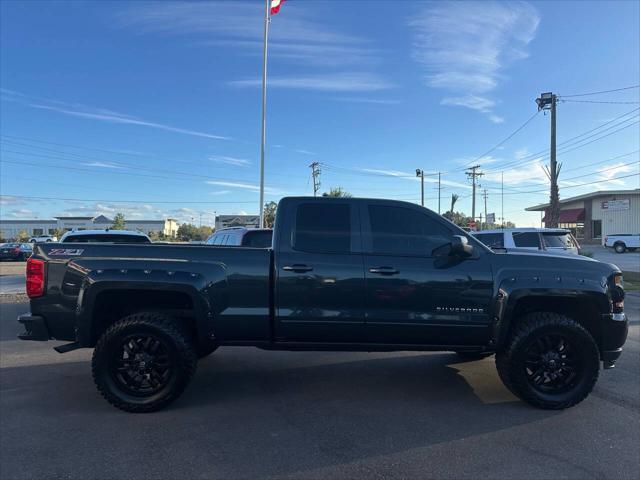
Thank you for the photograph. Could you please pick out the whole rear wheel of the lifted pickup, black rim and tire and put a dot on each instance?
(143, 362)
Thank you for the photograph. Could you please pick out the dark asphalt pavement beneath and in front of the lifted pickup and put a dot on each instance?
(257, 414)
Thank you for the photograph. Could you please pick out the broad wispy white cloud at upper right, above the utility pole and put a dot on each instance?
(464, 48)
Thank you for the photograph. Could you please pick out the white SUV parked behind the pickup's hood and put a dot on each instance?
(556, 240)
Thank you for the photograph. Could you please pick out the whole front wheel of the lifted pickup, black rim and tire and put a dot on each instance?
(550, 361)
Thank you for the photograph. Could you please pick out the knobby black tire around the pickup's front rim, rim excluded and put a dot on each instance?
(510, 362)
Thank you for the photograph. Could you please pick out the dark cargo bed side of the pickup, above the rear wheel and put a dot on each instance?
(227, 289)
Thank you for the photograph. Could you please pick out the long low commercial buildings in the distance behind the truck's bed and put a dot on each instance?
(9, 229)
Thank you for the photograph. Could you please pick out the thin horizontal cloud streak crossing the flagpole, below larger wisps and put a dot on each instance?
(328, 82)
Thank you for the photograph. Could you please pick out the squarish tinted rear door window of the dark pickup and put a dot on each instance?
(323, 228)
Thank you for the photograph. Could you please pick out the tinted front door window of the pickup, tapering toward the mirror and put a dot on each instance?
(403, 231)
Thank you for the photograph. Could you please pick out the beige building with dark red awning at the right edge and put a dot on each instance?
(593, 216)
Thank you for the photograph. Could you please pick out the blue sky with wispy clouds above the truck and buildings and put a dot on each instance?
(153, 109)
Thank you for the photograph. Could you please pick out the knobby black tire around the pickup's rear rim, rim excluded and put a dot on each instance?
(181, 355)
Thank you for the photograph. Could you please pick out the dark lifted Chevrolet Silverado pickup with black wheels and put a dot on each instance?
(342, 275)
